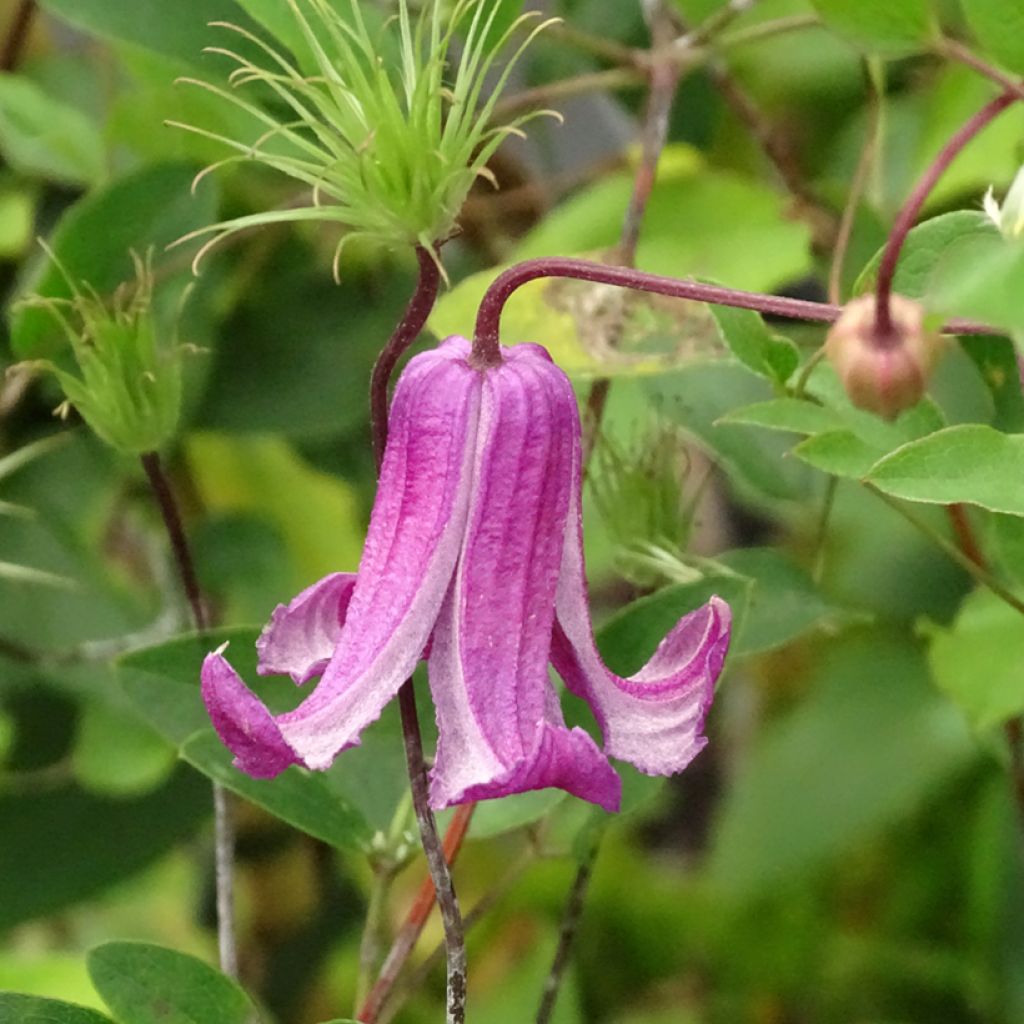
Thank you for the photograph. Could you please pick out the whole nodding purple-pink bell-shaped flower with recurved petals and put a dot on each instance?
(475, 561)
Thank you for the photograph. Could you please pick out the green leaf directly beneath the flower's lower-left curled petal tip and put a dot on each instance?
(304, 799)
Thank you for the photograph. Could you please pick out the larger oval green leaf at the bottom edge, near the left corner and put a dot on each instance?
(149, 985)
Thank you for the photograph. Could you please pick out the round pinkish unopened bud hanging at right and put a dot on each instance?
(885, 374)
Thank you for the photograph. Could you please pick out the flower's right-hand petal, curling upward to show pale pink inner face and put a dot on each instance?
(654, 719)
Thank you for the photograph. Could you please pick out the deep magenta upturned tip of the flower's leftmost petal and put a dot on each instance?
(243, 722)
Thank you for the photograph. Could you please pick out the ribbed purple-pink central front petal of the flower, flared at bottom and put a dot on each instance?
(501, 729)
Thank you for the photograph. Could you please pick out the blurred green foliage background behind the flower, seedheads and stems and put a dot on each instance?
(847, 848)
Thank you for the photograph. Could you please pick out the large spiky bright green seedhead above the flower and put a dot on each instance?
(390, 150)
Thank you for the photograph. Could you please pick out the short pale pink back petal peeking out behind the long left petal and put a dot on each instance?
(302, 636)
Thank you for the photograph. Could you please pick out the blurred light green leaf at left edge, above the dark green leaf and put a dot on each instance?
(42, 138)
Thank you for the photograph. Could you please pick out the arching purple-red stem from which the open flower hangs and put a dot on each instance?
(486, 338)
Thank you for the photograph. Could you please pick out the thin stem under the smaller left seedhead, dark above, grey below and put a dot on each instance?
(223, 825)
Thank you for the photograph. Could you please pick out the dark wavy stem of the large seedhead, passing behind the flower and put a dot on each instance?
(419, 309)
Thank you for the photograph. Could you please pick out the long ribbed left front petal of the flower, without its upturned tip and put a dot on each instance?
(415, 535)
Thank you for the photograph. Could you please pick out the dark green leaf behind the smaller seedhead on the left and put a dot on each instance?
(96, 238)
